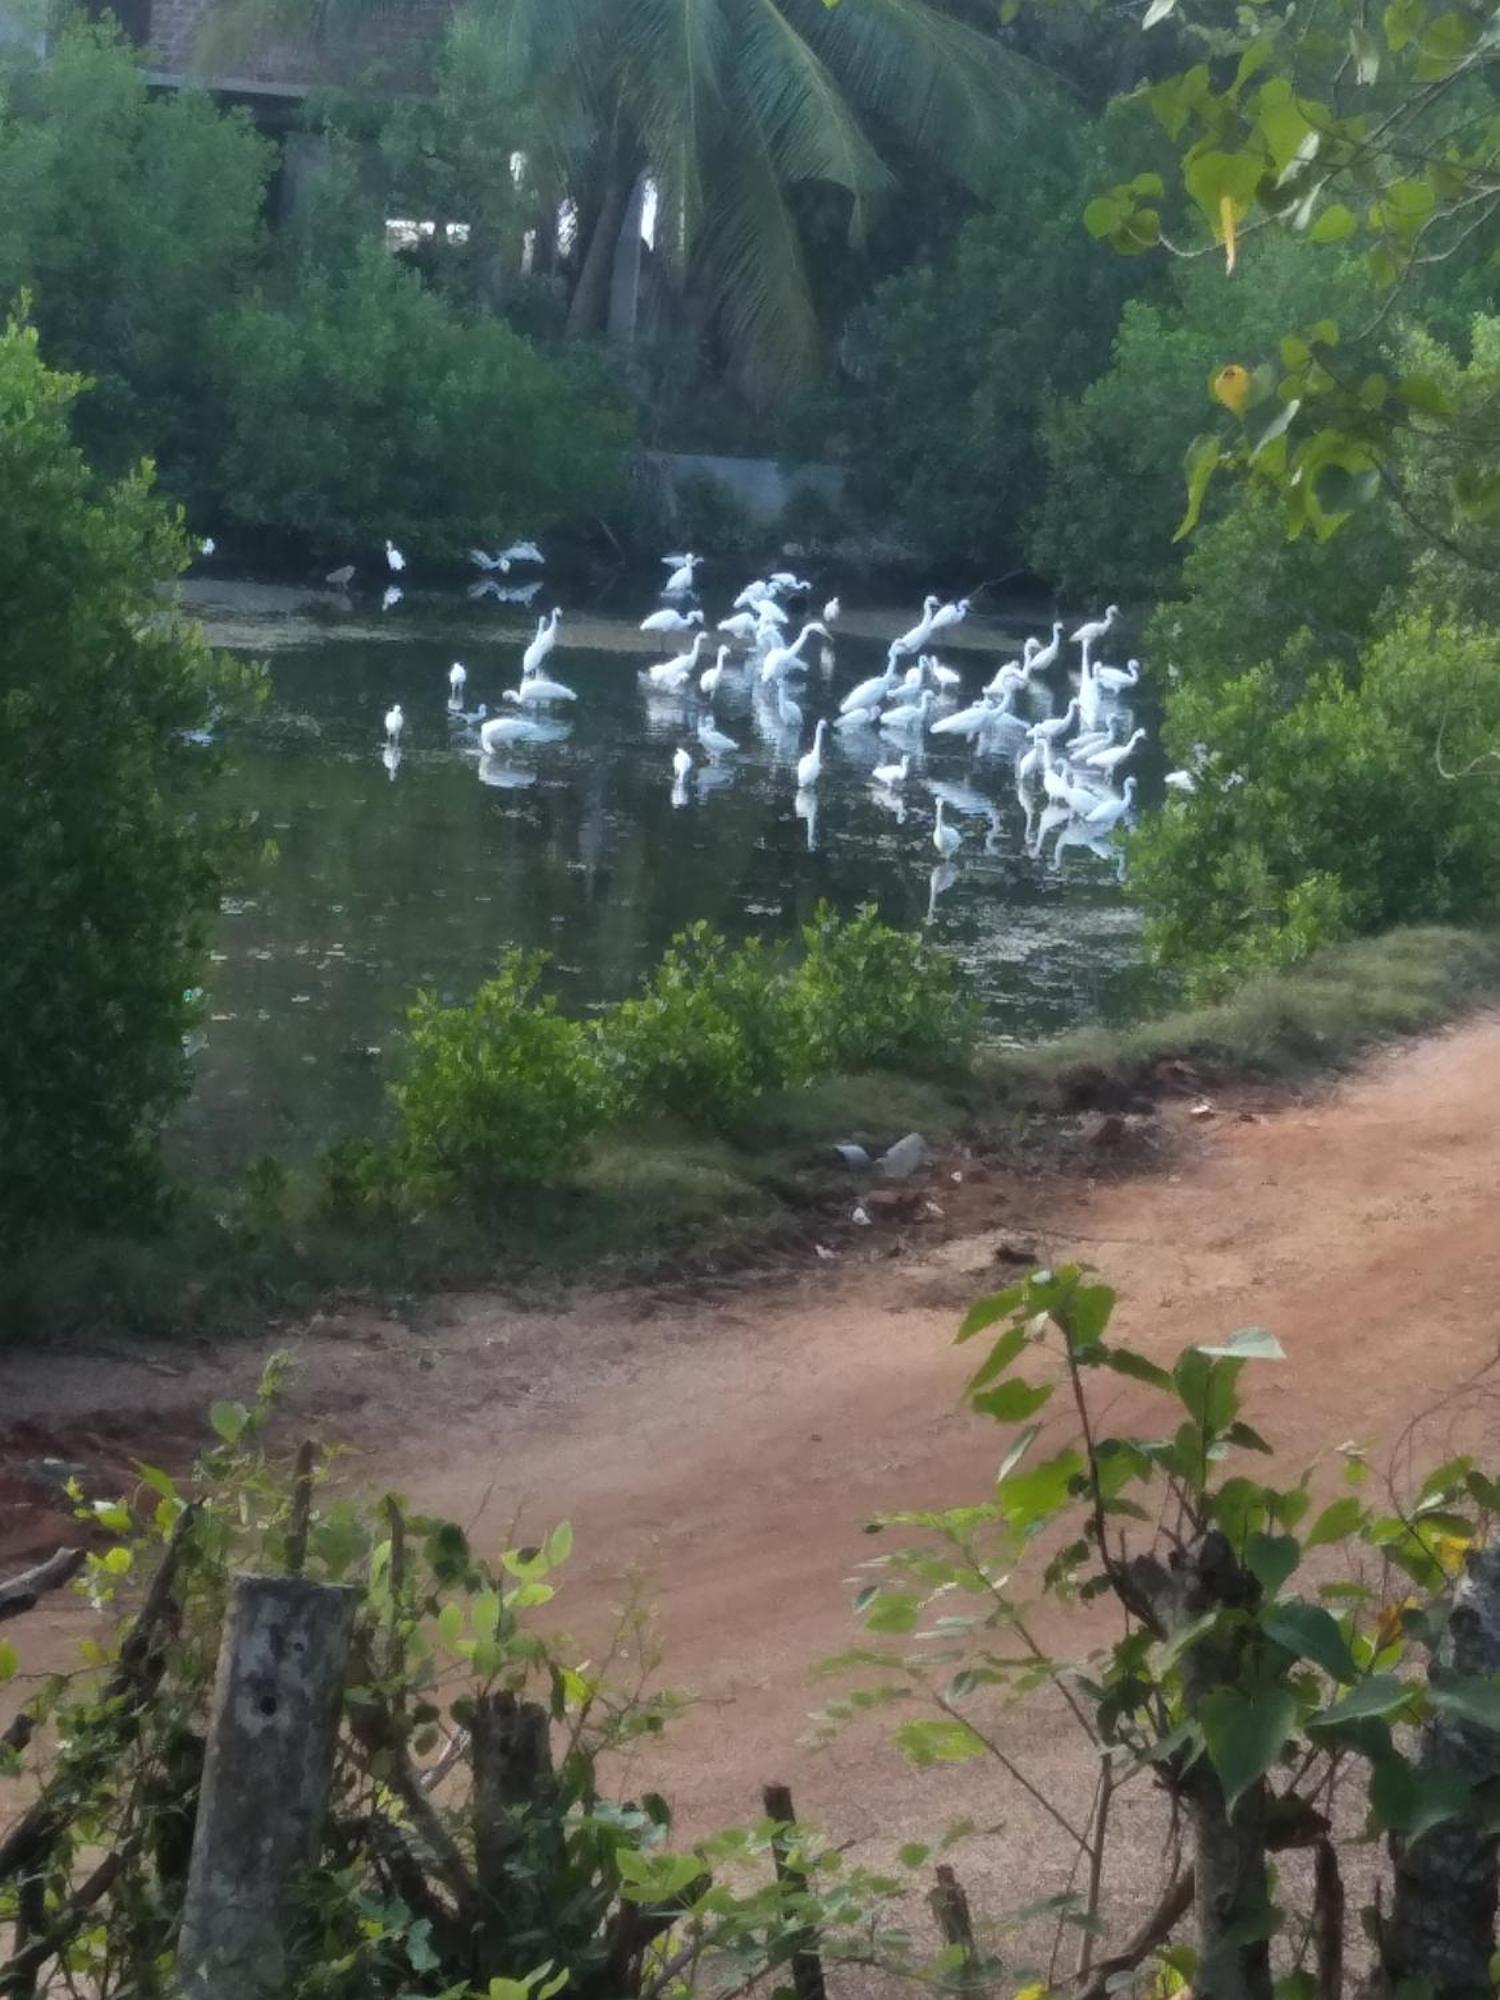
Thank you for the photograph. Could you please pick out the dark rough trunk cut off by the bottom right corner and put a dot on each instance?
(1441, 1931)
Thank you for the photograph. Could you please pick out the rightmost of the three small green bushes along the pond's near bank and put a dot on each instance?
(867, 997)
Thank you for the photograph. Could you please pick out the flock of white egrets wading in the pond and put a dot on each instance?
(1067, 763)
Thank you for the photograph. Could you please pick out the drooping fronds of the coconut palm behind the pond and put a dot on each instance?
(729, 109)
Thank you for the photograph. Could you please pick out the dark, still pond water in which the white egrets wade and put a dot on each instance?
(393, 875)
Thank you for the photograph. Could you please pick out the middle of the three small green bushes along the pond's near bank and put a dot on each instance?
(707, 1037)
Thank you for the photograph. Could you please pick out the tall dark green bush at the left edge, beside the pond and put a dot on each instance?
(111, 835)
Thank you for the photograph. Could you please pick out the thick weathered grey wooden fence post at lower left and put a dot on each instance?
(267, 1777)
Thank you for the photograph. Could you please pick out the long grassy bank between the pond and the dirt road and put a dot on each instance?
(659, 1199)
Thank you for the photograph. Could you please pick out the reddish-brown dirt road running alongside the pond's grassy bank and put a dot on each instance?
(729, 1451)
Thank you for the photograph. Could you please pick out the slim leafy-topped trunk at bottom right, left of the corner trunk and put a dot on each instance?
(1229, 1849)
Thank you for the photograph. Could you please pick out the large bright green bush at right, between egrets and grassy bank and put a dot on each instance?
(1357, 807)
